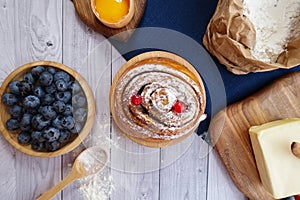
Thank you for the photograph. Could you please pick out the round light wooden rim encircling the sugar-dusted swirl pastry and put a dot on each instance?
(155, 55)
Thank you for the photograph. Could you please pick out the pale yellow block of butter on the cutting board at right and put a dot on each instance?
(278, 167)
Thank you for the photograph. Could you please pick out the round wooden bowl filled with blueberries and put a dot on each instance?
(47, 109)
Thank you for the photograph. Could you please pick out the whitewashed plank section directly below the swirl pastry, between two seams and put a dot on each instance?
(181, 165)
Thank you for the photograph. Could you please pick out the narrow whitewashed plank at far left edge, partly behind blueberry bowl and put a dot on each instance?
(8, 182)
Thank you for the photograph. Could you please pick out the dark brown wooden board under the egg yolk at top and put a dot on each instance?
(84, 11)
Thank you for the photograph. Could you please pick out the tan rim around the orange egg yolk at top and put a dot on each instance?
(122, 22)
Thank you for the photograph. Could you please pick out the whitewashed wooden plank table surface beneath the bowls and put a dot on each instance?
(50, 30)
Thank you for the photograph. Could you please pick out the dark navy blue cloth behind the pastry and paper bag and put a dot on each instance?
(189, 19)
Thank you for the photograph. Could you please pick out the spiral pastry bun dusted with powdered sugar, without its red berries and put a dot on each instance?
(160, 87)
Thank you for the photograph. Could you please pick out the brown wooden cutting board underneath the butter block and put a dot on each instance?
(229, 130)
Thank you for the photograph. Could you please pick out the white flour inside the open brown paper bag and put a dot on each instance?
(276, 23)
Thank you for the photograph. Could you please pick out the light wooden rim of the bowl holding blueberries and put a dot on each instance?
(91, 107)
